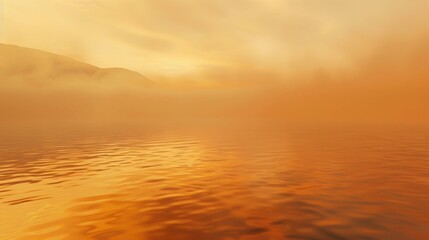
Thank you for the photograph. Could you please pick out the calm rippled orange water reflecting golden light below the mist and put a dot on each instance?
(215, 183)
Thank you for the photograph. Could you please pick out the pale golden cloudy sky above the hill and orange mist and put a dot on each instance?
(211, 39)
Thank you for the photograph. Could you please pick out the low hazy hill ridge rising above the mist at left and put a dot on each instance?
(29, 66)
